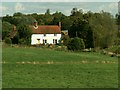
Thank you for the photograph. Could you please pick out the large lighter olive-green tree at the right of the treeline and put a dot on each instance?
(104, 29)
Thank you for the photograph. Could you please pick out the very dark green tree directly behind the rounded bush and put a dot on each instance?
(81, 28)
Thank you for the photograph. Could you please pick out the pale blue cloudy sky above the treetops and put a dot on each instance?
(38, 6)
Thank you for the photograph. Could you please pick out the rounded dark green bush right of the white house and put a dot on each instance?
(76, 44)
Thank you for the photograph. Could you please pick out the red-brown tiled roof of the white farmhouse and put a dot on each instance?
(49, 29)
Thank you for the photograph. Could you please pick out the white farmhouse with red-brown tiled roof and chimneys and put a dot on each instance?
(49, 34)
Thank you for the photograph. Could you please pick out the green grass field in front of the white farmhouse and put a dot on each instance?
(44, 68)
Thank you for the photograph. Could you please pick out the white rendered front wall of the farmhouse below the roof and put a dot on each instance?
(48, 37)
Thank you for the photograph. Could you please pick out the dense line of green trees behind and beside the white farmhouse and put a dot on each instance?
(97, 30)
